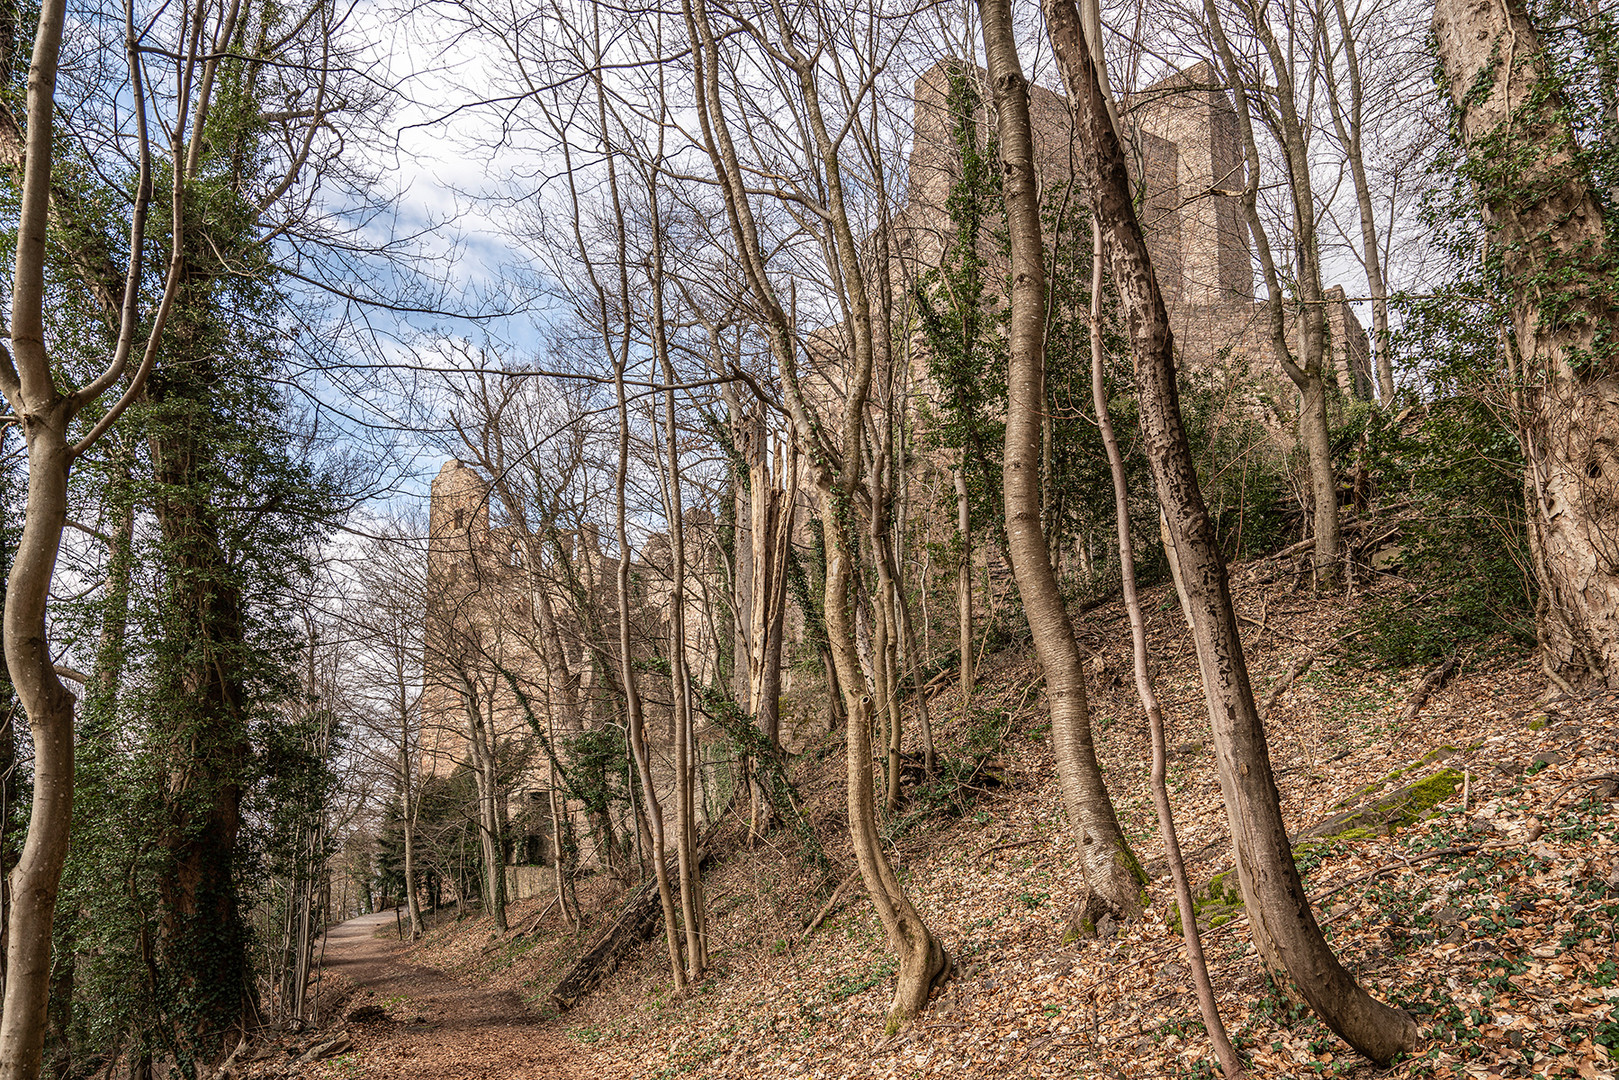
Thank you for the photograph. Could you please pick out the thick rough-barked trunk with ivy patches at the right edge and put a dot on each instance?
(1544, 216)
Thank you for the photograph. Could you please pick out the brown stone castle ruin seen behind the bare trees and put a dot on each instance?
(504, 634)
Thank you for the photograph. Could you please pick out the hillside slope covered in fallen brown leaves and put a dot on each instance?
(1484, 899)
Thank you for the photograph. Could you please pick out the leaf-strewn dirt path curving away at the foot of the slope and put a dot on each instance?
(431, 1027)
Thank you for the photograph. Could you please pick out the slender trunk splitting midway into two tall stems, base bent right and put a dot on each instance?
(836, 469)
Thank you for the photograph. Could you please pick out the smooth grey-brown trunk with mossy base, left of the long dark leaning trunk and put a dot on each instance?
(1111, 875)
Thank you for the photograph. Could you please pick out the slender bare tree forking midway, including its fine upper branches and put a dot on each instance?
(794, 51)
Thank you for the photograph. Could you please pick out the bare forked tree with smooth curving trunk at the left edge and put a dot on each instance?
(46, 412)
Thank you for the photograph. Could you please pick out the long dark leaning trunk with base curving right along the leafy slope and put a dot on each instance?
(1275, 899)
